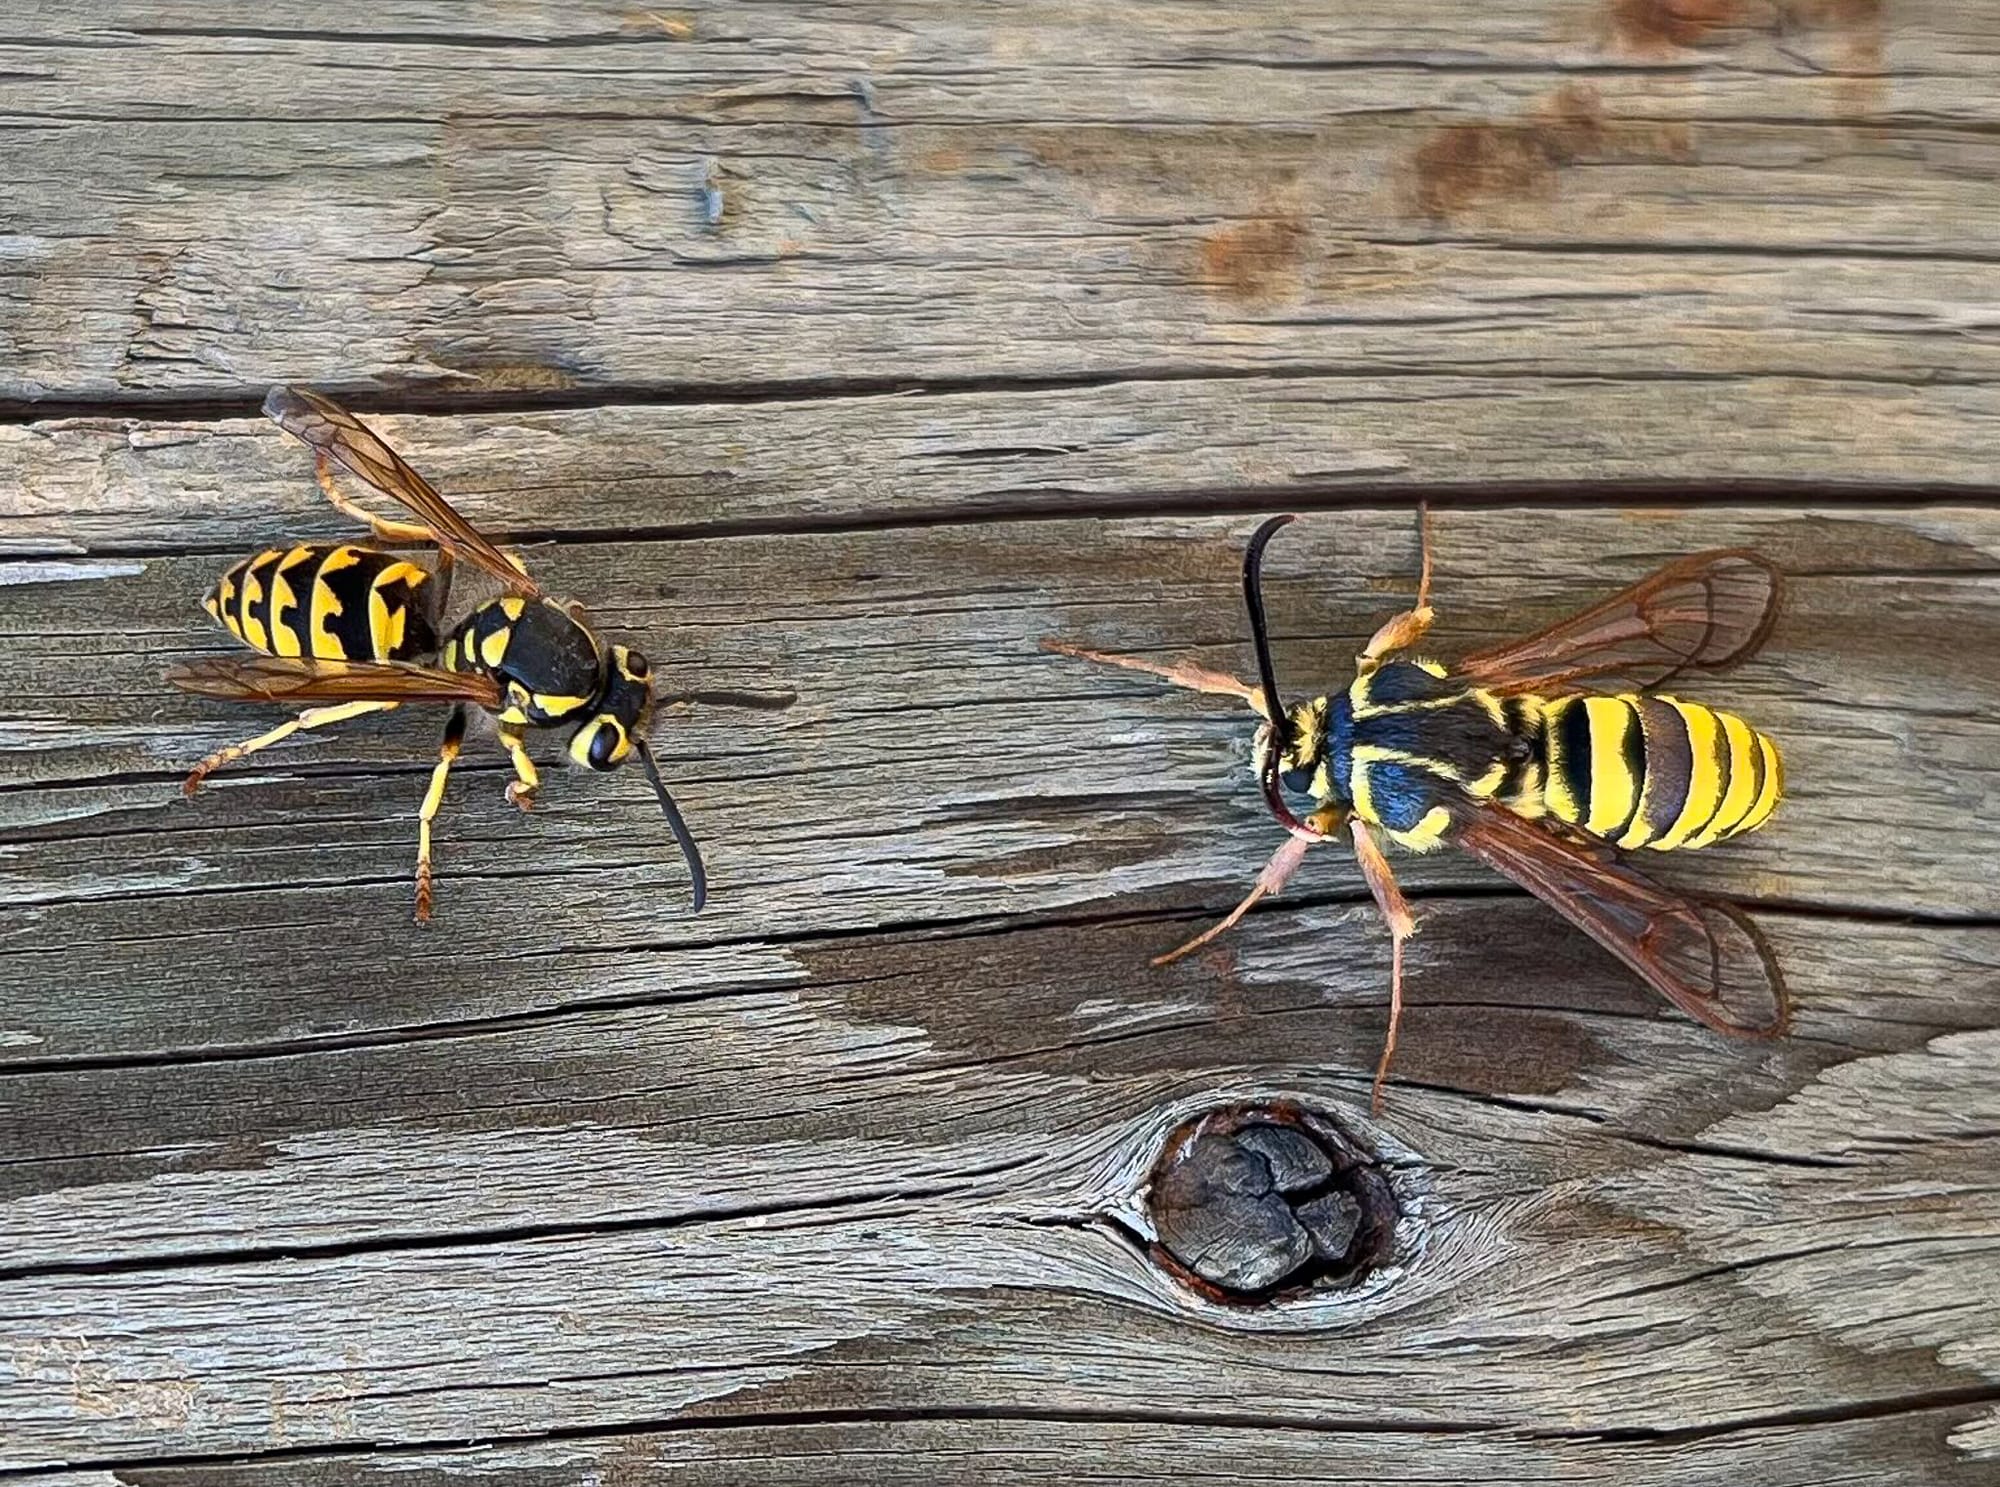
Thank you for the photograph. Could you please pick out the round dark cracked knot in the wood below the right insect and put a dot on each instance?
(1265, 1202)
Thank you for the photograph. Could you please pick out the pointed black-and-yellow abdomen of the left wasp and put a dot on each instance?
(335, 605)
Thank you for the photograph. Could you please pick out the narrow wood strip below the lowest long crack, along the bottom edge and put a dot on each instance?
(1047, 1450)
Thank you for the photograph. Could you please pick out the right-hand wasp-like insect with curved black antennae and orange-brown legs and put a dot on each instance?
(1537, 774)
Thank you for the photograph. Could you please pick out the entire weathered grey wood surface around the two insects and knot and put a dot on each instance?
(837, 357)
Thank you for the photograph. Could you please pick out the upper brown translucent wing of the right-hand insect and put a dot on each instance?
(1701, 613)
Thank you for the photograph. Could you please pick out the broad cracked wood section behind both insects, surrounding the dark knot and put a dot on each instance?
(879, 1116)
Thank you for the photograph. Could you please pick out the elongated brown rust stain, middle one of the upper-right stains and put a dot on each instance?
(1463, 167)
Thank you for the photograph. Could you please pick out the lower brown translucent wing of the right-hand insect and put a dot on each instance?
(1705, 958)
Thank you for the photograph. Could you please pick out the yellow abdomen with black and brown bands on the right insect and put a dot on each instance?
(1657, 772)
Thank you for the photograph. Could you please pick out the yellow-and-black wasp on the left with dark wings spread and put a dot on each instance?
(357, 631)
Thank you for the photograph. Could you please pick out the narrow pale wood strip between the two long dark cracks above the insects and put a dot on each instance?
(145, 487)
